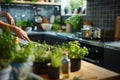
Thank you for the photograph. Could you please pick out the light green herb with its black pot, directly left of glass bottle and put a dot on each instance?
(55, 63)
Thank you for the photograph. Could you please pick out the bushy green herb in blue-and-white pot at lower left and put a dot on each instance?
(22, 58)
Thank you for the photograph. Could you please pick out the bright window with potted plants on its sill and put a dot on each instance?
(73, 7)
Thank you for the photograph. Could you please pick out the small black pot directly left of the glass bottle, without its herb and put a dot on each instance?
(53, 72)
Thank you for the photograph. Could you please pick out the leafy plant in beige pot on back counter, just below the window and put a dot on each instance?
(75, 22)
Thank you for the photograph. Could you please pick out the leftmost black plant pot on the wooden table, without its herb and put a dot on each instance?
(40, 67)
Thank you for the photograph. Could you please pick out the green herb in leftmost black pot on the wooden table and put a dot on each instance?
(41, 58)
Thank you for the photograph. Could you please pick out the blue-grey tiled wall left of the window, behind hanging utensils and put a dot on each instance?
(26, 12)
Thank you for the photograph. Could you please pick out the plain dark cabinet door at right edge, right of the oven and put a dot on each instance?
(111, 59)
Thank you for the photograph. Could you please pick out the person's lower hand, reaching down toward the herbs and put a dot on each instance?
(20, 33)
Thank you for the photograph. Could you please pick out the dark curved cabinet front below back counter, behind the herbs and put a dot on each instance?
(49, 39)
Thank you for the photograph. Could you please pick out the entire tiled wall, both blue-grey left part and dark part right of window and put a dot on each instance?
(101, 12)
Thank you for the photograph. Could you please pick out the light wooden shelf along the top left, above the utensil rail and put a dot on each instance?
(37, 3)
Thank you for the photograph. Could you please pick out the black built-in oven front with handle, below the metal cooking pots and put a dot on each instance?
(95, 55)
